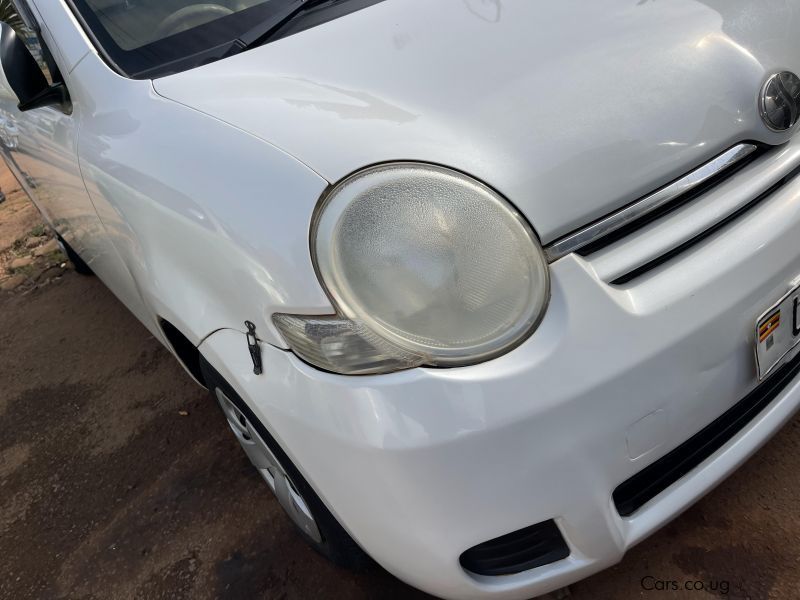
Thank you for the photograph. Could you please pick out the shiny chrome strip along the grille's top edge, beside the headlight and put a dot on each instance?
(592, 233)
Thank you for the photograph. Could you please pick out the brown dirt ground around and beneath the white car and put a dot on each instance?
(119, 478)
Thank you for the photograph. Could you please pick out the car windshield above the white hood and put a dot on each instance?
(152, 38)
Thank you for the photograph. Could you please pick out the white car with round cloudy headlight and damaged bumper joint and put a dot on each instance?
(488, 290)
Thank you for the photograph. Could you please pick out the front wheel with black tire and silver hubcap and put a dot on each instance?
(300, 502)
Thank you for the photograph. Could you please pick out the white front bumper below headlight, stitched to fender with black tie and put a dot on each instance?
(421, 465)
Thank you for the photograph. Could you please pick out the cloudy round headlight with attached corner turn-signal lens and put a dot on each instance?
(425, 266)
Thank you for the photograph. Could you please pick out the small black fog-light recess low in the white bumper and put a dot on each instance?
(521, 550)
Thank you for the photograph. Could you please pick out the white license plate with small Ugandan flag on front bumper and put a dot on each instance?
(778, 333)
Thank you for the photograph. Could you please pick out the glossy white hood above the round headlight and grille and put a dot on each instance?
(570, 109)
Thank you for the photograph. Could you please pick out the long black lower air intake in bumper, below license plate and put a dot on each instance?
(634, 493)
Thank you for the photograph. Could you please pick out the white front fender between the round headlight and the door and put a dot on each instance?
(211, 222)
